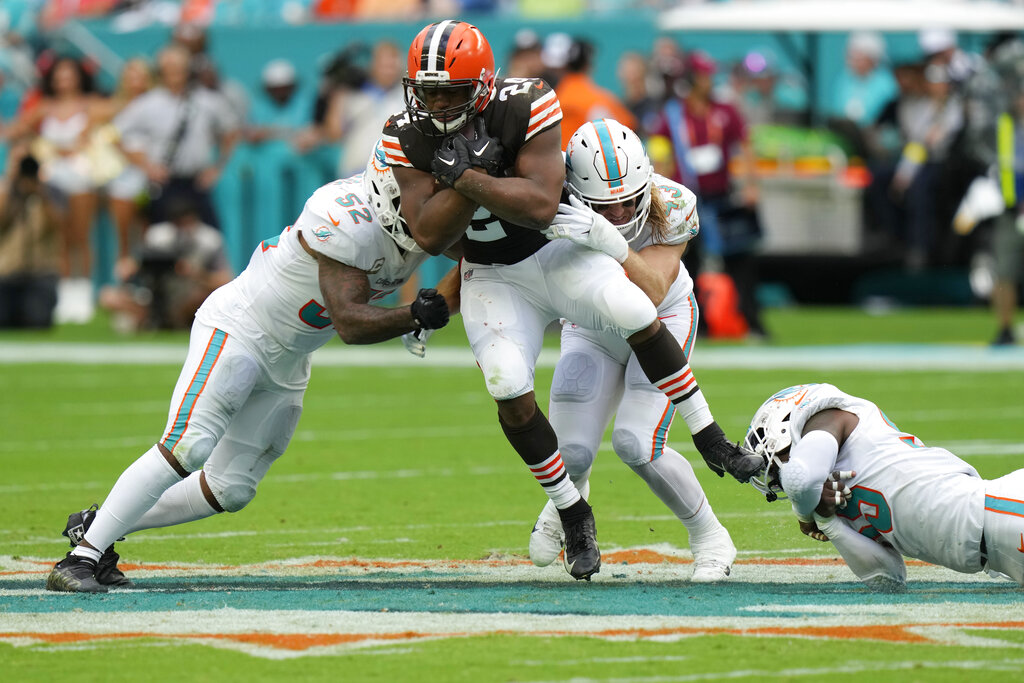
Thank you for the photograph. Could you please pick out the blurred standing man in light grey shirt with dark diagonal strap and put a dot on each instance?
(182, 138)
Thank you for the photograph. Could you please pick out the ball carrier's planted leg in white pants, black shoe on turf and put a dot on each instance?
(505, 325)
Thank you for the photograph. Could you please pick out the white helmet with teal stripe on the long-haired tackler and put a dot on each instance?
(606, 163)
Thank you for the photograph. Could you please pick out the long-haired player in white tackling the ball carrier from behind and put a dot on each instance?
(599, 375)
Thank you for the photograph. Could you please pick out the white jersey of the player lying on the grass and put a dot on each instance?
(925, 502)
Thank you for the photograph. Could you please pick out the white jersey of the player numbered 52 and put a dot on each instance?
(276, 306)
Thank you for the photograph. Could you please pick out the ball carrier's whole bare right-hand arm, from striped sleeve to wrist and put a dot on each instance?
(531, 197)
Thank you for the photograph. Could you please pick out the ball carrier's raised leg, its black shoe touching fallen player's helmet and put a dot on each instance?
(594, 292)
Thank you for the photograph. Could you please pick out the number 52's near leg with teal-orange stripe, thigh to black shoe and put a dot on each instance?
(216, 381)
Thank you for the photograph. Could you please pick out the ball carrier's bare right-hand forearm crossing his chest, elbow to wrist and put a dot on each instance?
(520, 201)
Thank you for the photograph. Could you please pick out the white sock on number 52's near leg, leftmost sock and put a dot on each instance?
(137, 491)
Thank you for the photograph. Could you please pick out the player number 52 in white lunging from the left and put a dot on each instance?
(239, 397)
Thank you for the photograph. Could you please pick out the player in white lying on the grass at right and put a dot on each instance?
(878, 493)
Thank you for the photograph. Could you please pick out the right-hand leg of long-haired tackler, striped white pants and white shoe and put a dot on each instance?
(639, 438)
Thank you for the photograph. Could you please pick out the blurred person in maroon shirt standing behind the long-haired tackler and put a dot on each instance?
(706, 135)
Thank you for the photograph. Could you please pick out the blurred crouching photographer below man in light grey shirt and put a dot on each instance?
(181, 264)
